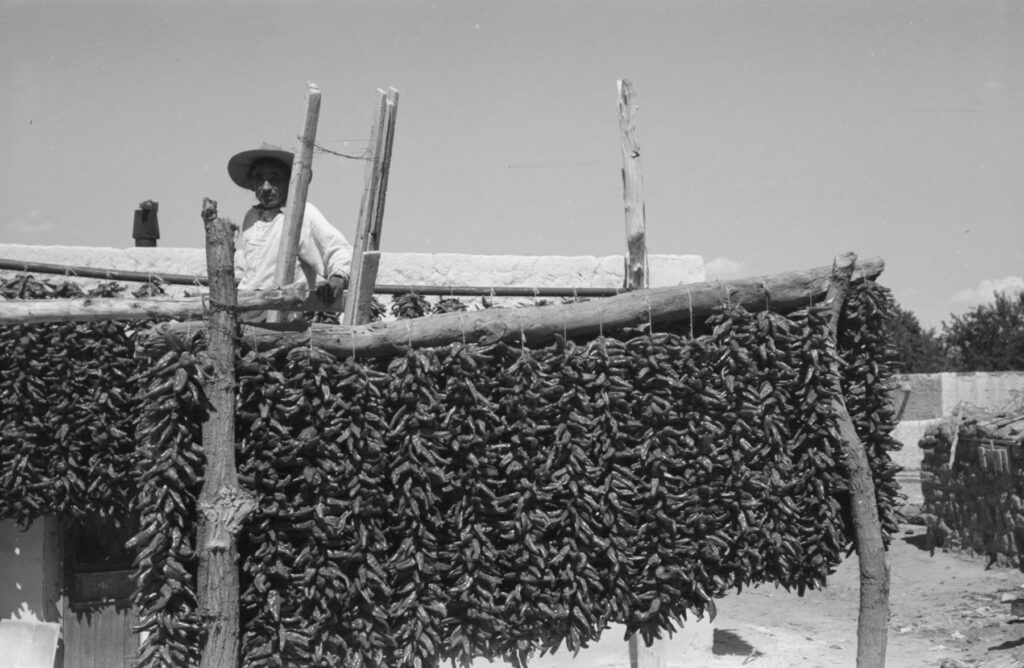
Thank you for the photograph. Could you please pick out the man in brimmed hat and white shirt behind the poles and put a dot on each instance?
(324, 252)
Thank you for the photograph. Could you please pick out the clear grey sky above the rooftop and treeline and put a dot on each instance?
(774, 135)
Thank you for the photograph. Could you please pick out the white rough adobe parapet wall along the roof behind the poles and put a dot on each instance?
(396, 269)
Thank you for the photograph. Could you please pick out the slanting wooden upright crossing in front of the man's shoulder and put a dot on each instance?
(298, 188)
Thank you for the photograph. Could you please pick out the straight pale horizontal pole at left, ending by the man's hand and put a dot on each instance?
(13, 312)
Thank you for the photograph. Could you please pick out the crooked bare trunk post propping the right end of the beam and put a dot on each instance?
(873, 621)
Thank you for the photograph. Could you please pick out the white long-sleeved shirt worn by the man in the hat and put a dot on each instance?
(324, 252)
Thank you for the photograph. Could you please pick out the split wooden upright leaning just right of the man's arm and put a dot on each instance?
(368, 235)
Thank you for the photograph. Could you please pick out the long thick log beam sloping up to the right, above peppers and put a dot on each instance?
(783, 293)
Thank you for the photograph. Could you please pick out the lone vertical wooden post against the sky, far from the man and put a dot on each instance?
(636, 227)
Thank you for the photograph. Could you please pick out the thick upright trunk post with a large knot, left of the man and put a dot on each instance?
(223, 505)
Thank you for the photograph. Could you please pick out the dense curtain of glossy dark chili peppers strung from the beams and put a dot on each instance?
(494, 502)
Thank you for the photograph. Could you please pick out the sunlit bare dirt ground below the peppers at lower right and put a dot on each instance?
(947, 611)
